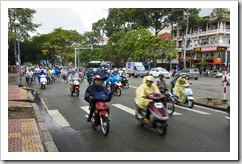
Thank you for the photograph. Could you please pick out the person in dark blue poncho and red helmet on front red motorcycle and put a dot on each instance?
(95, 93)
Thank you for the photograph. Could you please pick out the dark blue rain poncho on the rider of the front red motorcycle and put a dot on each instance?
(99, 93)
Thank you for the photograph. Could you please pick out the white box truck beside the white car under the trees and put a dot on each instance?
(136, 69)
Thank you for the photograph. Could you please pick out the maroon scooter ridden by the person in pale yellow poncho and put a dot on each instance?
(158, 117)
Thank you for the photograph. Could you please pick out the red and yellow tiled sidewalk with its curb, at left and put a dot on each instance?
(27, 131)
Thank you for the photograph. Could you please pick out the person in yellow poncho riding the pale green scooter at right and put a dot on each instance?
(178, 90)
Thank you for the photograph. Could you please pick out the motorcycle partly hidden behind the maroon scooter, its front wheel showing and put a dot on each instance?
(170, 101)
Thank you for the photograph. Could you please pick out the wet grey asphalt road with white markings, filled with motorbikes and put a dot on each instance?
(190, 130)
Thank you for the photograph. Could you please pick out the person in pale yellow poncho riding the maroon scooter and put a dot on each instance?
(142, 92)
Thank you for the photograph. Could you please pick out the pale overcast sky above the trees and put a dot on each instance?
(73, 18)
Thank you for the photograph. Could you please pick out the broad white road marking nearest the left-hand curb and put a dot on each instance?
(58, 119)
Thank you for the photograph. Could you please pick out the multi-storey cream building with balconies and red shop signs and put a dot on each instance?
(208, 43)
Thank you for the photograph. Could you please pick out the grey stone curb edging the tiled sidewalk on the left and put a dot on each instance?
(45, 135)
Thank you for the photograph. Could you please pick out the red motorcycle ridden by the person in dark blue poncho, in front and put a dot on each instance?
(101, 116)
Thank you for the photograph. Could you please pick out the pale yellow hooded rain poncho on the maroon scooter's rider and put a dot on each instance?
(144, 90)
